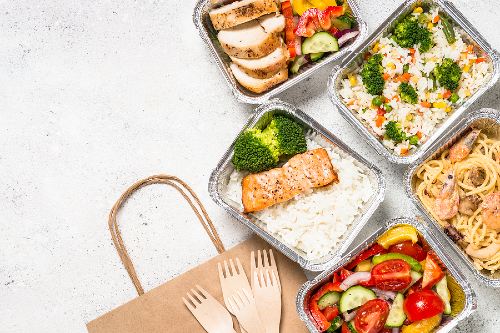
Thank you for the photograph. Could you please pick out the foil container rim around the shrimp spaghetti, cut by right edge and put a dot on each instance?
(486, 119)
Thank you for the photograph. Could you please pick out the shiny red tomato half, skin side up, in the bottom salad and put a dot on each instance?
(422, 304)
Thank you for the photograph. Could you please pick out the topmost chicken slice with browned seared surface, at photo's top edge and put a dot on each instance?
(240, 12)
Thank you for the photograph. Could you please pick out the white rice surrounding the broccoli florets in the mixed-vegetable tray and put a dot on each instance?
(416, 119)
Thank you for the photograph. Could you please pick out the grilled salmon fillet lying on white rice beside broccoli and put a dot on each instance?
(300, 174)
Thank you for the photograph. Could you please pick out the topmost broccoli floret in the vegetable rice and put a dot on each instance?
(409, 32)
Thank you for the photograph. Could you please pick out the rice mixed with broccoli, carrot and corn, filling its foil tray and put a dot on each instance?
(413, 79)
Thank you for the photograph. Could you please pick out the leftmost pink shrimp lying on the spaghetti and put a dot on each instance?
(446, 204)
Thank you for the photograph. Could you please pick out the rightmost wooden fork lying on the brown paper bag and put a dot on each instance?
(268, 298)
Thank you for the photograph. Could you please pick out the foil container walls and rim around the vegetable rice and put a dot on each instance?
(355, 60)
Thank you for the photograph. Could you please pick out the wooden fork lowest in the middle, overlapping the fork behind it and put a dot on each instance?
(245, 309)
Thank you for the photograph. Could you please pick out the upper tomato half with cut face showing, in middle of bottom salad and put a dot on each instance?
(392, 275)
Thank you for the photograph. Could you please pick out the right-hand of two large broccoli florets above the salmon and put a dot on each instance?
(289, 135)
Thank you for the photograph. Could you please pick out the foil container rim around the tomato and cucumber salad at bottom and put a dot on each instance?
(430, 236)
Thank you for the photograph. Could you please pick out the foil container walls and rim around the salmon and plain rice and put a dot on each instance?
(220, 177)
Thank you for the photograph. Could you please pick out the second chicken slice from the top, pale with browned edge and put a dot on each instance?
(248, 41)
